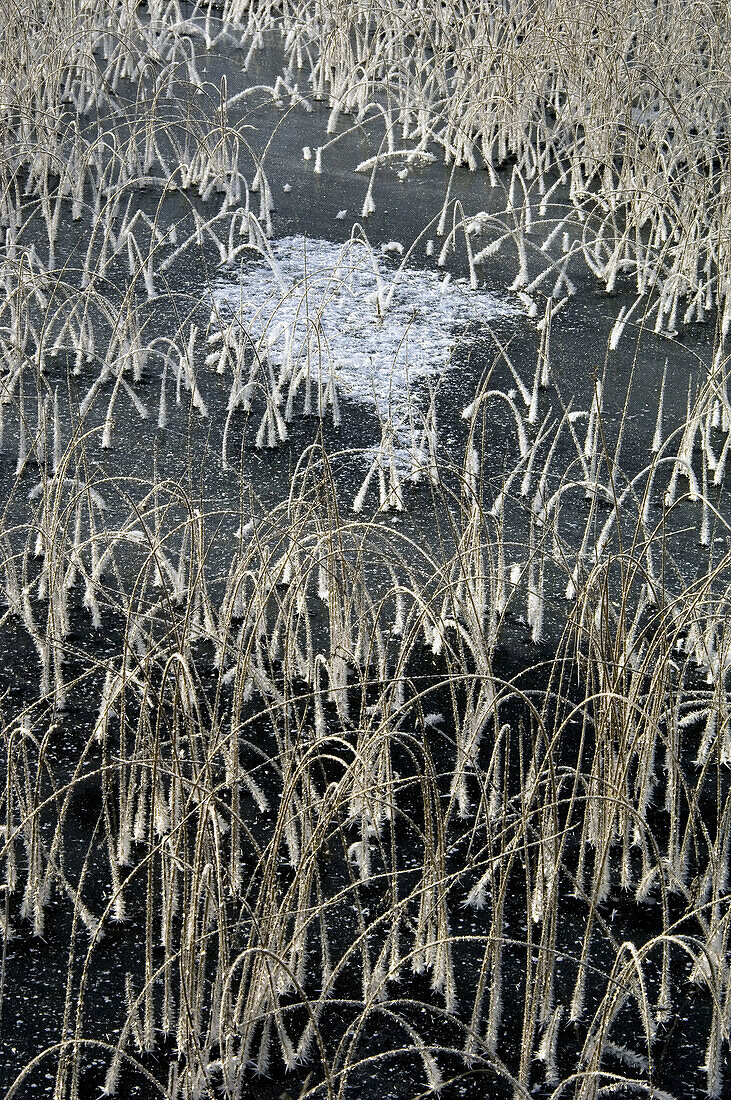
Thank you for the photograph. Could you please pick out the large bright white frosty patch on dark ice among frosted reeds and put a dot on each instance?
(381, 333)
